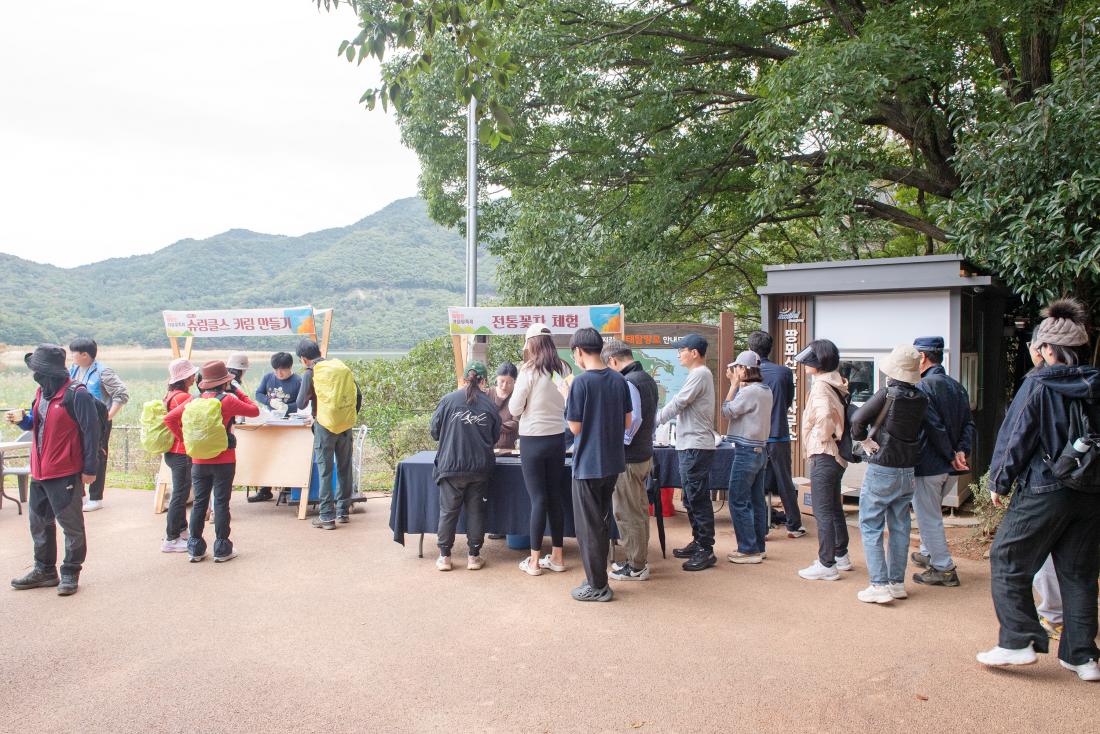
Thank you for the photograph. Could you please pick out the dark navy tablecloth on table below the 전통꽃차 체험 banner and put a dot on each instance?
(415, 503)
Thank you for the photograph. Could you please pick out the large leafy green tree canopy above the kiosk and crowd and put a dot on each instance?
(662, 154)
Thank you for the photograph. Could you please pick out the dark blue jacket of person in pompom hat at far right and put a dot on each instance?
(1037, 426)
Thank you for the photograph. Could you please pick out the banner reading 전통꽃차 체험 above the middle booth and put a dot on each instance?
(515, 321)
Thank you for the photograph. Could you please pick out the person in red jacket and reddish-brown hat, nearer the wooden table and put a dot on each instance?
(214, 476)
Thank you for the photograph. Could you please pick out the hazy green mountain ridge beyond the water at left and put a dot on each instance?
(390, 278)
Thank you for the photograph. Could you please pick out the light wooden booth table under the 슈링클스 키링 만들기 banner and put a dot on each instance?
(269, 455)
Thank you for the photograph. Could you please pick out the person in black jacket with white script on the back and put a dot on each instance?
(468, 426)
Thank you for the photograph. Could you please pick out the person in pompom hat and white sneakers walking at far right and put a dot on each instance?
(1057, 406)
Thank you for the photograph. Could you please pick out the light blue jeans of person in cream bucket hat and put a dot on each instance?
(884, 505)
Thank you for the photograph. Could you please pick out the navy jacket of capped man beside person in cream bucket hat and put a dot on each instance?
(949, 425)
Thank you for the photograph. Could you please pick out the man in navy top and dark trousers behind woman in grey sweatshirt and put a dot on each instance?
(777, 473)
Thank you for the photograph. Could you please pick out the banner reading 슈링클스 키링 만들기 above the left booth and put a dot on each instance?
(243, 323)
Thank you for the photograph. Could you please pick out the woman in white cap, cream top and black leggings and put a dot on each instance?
(541, 407)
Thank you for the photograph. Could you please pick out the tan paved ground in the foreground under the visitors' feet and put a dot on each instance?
(312, 631)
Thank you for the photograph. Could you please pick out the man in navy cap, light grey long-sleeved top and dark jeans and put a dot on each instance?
(695, 406)
